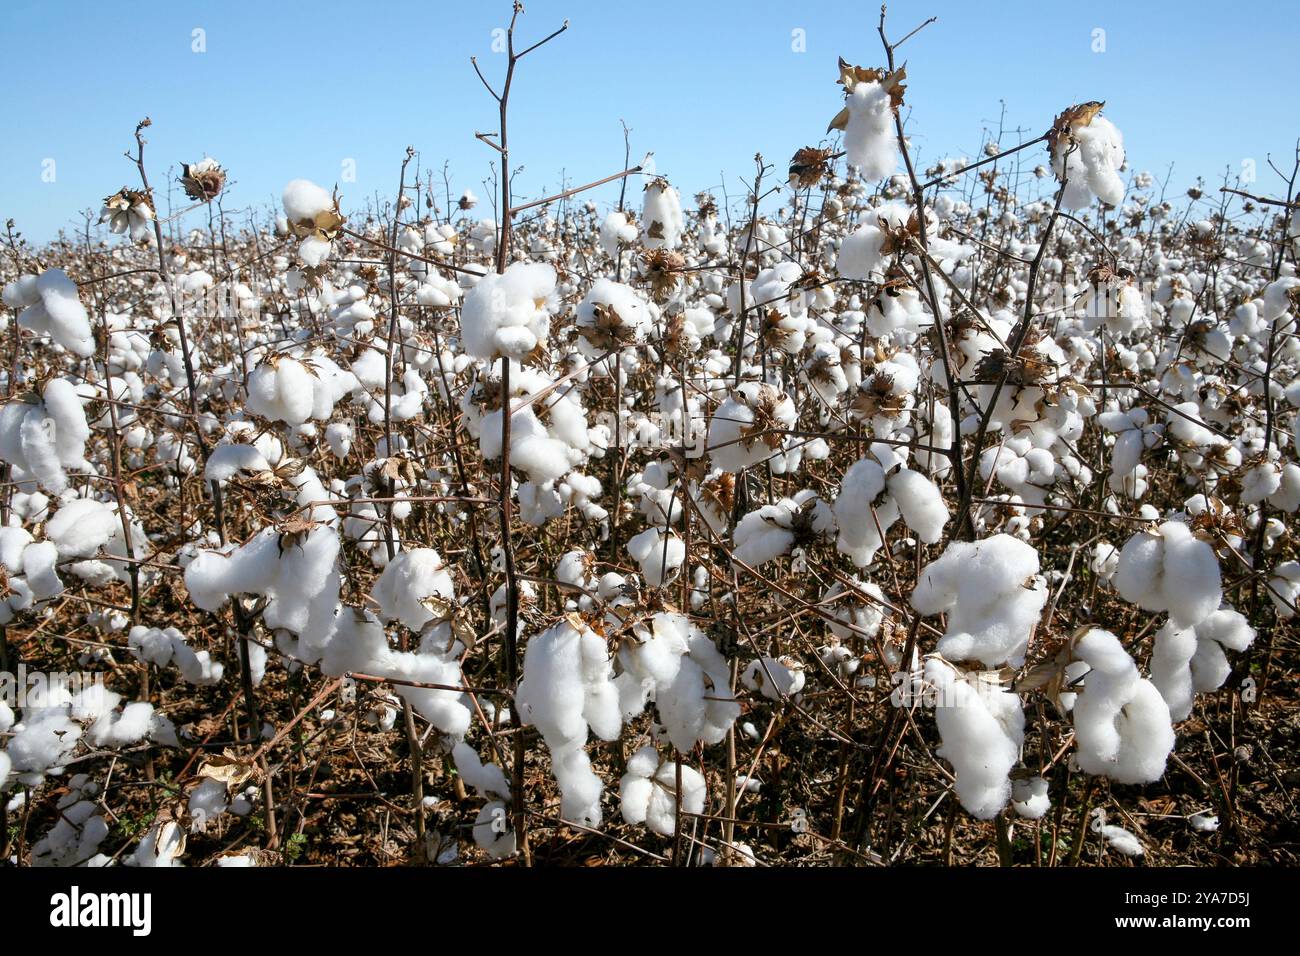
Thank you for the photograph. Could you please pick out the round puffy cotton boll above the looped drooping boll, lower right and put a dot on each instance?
(1171, 570)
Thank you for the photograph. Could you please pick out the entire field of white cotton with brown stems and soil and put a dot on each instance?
(891, 512)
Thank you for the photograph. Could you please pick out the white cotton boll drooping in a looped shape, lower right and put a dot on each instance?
(1123, 726)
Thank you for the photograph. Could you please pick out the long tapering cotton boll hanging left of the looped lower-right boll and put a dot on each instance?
(982, 728)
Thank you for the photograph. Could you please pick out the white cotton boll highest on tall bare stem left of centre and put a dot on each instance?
(508, 314)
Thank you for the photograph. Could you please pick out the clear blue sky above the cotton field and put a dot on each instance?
(292, 90)
